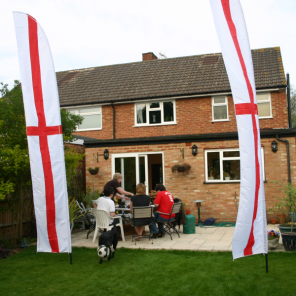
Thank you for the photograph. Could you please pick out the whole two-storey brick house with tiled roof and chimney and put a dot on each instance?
(148, 115)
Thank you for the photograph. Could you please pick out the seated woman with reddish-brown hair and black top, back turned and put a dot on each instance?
(140, 200)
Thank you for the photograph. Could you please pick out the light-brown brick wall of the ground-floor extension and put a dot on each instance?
(219, 198)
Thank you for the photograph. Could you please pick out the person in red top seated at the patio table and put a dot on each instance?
(163, 202)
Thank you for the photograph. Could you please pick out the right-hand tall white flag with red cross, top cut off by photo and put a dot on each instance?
(250, 236)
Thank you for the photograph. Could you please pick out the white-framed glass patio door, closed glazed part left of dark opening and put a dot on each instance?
(134, 169)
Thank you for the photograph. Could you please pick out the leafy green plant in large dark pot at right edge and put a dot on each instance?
(288, 230)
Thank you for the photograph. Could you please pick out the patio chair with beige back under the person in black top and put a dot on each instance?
(141, 216)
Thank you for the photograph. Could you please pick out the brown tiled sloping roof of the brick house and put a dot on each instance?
(192, 75)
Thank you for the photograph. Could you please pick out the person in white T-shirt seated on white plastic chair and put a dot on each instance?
(106, 203)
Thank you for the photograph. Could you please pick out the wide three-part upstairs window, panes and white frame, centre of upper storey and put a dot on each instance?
(155, 113)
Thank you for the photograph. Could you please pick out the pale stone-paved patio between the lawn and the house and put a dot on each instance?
(205, 239)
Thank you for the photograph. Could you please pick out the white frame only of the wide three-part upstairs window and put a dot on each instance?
(155, 109)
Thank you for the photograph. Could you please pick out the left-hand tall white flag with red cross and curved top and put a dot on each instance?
(44, 134)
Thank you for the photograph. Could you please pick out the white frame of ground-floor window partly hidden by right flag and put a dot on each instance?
(207, 180)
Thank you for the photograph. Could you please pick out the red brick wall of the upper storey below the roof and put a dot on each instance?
(194, 116)
